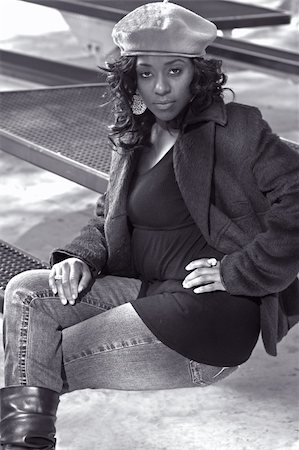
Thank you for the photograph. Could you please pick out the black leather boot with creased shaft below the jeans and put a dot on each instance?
(28, 416)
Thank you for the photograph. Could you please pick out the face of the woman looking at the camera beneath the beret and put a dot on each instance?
(164, 84)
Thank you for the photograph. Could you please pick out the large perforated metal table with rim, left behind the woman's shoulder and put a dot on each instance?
(63, 130)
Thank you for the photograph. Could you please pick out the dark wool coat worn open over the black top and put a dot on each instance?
(241, 186)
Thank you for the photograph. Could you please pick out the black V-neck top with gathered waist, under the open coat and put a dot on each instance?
(213, 328)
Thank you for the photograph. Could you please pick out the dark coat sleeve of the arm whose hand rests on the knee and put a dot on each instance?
(90, 245)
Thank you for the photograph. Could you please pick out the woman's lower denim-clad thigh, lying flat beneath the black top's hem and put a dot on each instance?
(117, 351)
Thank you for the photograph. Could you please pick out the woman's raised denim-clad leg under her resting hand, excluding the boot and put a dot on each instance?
(34, 319)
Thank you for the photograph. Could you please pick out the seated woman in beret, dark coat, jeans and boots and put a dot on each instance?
(193, 251)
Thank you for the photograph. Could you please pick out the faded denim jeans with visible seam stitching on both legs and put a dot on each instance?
(100, 342)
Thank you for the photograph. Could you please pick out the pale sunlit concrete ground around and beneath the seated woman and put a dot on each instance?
(256, 408)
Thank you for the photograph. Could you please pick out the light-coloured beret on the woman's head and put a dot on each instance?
(162, 28)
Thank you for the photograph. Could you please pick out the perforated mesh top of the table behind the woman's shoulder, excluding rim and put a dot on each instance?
(66, 121)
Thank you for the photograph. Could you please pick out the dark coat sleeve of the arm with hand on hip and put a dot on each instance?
(270, 262)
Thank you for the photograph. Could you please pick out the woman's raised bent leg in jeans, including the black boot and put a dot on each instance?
(33, 321)
